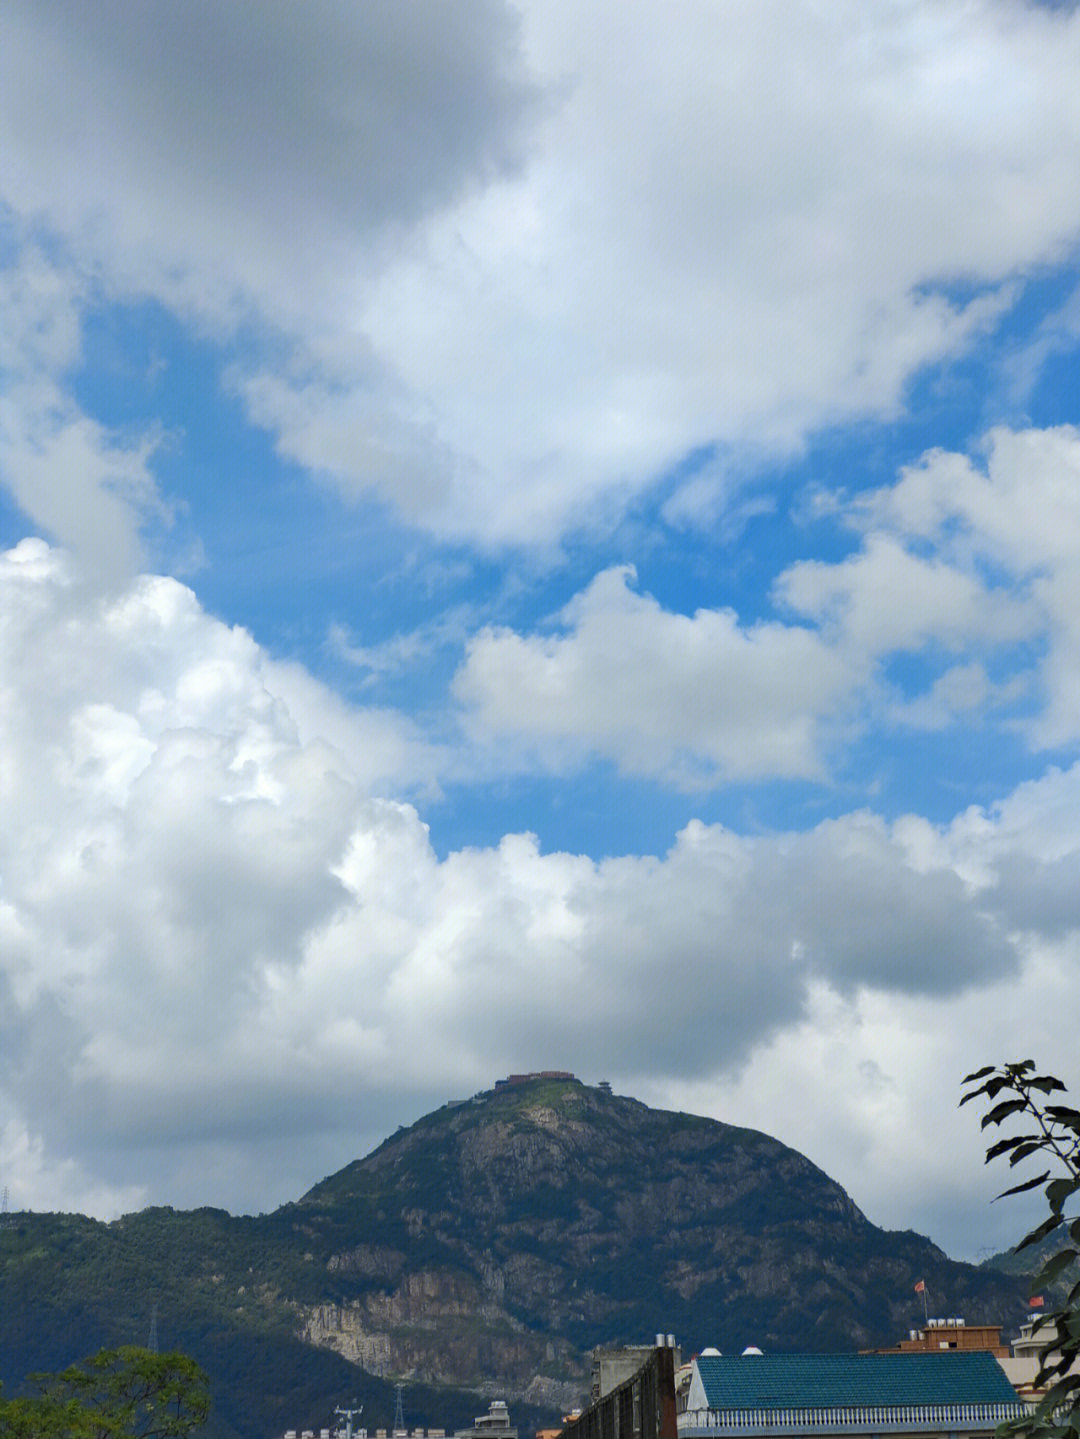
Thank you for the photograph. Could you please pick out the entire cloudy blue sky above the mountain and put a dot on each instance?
(534, 540)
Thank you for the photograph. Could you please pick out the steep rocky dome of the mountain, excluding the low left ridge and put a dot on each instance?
(497, 1241)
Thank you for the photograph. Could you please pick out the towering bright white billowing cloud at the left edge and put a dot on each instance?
(172, 831)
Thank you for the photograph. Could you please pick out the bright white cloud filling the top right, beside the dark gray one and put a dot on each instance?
(736, 230)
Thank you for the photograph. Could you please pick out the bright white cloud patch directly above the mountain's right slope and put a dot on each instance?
(868, 1086)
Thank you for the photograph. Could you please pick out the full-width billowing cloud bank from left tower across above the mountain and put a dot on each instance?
(221, 940)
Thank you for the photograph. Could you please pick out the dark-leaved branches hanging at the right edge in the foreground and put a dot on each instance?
(1052, 1132)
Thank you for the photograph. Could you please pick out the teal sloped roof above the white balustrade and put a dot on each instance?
(842, 1381)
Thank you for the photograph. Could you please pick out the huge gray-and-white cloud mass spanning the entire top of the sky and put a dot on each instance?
(517, 265)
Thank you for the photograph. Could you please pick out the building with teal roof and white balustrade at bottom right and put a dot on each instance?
(935, 1394)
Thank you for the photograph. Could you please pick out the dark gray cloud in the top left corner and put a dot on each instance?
(241, 140)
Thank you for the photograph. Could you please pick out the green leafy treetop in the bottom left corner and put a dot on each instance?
(123, 1394)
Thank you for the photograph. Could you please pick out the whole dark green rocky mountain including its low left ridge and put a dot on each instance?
(490, 1247)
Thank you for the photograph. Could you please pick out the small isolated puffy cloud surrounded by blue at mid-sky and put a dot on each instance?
(692, 700)
